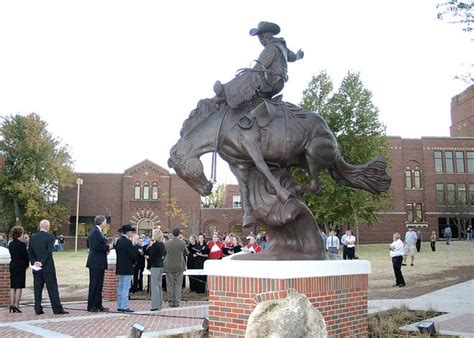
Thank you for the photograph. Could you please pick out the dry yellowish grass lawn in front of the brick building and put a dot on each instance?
(450, 264)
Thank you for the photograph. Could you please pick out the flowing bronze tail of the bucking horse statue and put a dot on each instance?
(372, 176)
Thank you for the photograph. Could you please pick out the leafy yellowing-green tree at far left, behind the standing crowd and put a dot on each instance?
(36, 167)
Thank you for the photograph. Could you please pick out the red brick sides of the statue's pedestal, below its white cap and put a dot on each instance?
(342, 301)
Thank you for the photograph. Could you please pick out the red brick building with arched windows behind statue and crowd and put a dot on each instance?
(432, 185)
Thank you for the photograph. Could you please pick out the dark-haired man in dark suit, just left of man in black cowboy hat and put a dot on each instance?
(97, 264)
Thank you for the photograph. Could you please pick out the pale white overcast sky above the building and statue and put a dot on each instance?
(115, 79)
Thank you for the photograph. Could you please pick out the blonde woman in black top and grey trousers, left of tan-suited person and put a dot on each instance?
(156, 253)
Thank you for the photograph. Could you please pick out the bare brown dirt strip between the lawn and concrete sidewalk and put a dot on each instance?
(425, 283)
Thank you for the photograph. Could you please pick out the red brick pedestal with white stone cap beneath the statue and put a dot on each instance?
(338, 289)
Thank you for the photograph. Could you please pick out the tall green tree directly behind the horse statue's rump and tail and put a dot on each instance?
(353, 118)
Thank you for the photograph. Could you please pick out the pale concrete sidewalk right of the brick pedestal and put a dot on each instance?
(457, 301)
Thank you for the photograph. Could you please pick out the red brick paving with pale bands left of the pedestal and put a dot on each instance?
(80, 323)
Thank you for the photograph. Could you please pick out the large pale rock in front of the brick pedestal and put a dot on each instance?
(293, 316)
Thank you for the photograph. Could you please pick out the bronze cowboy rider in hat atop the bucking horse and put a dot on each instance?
(267, 78)
